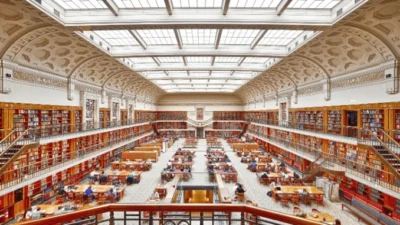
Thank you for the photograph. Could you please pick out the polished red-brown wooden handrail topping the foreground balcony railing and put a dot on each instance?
(227, 208)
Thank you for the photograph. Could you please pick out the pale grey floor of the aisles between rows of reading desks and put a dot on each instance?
(256, 192)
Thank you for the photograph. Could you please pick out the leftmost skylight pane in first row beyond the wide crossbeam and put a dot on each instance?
(117, 37)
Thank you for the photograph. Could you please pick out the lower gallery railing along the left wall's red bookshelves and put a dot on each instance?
(34, 169)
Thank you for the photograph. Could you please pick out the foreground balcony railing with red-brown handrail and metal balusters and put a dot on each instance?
(183, 214)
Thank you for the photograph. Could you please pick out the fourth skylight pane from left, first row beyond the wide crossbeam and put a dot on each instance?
(238, 36)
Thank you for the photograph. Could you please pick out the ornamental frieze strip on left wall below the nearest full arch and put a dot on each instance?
(38, 80)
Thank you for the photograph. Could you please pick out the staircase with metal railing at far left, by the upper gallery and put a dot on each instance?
(13, 146)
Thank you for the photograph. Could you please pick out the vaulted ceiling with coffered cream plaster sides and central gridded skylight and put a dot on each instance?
(250, 48)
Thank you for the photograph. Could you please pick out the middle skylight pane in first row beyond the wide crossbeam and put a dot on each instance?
(198, 36)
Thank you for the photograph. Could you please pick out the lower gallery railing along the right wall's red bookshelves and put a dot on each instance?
(335, 162)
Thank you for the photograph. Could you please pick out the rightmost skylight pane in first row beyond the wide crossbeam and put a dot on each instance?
(279, 37)
